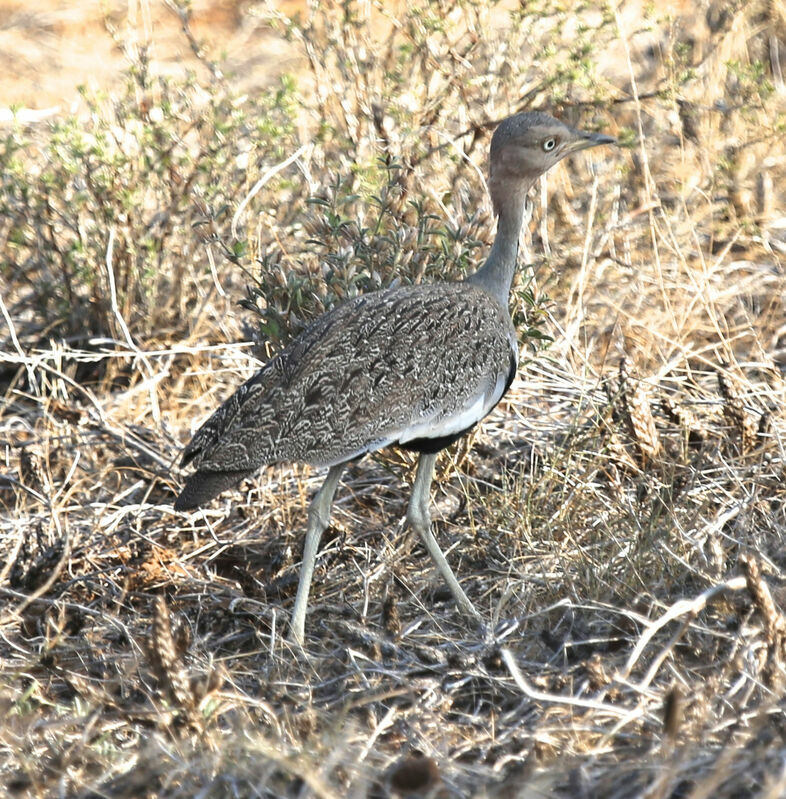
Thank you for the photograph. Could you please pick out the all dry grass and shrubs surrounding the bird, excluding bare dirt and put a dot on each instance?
(619, 520)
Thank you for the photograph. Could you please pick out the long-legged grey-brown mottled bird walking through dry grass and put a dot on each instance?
(414, 366)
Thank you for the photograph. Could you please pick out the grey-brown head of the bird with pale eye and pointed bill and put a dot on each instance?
(527, 145)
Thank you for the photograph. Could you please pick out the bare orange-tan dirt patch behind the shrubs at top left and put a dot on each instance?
(49, 48)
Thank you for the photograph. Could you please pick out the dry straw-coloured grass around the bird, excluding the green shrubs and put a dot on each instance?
(619, 520)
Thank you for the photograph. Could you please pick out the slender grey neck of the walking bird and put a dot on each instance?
(496, 274)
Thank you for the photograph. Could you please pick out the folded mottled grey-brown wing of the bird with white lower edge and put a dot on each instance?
(386, 367)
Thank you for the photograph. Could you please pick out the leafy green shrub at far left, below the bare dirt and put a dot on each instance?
(144, 177)
